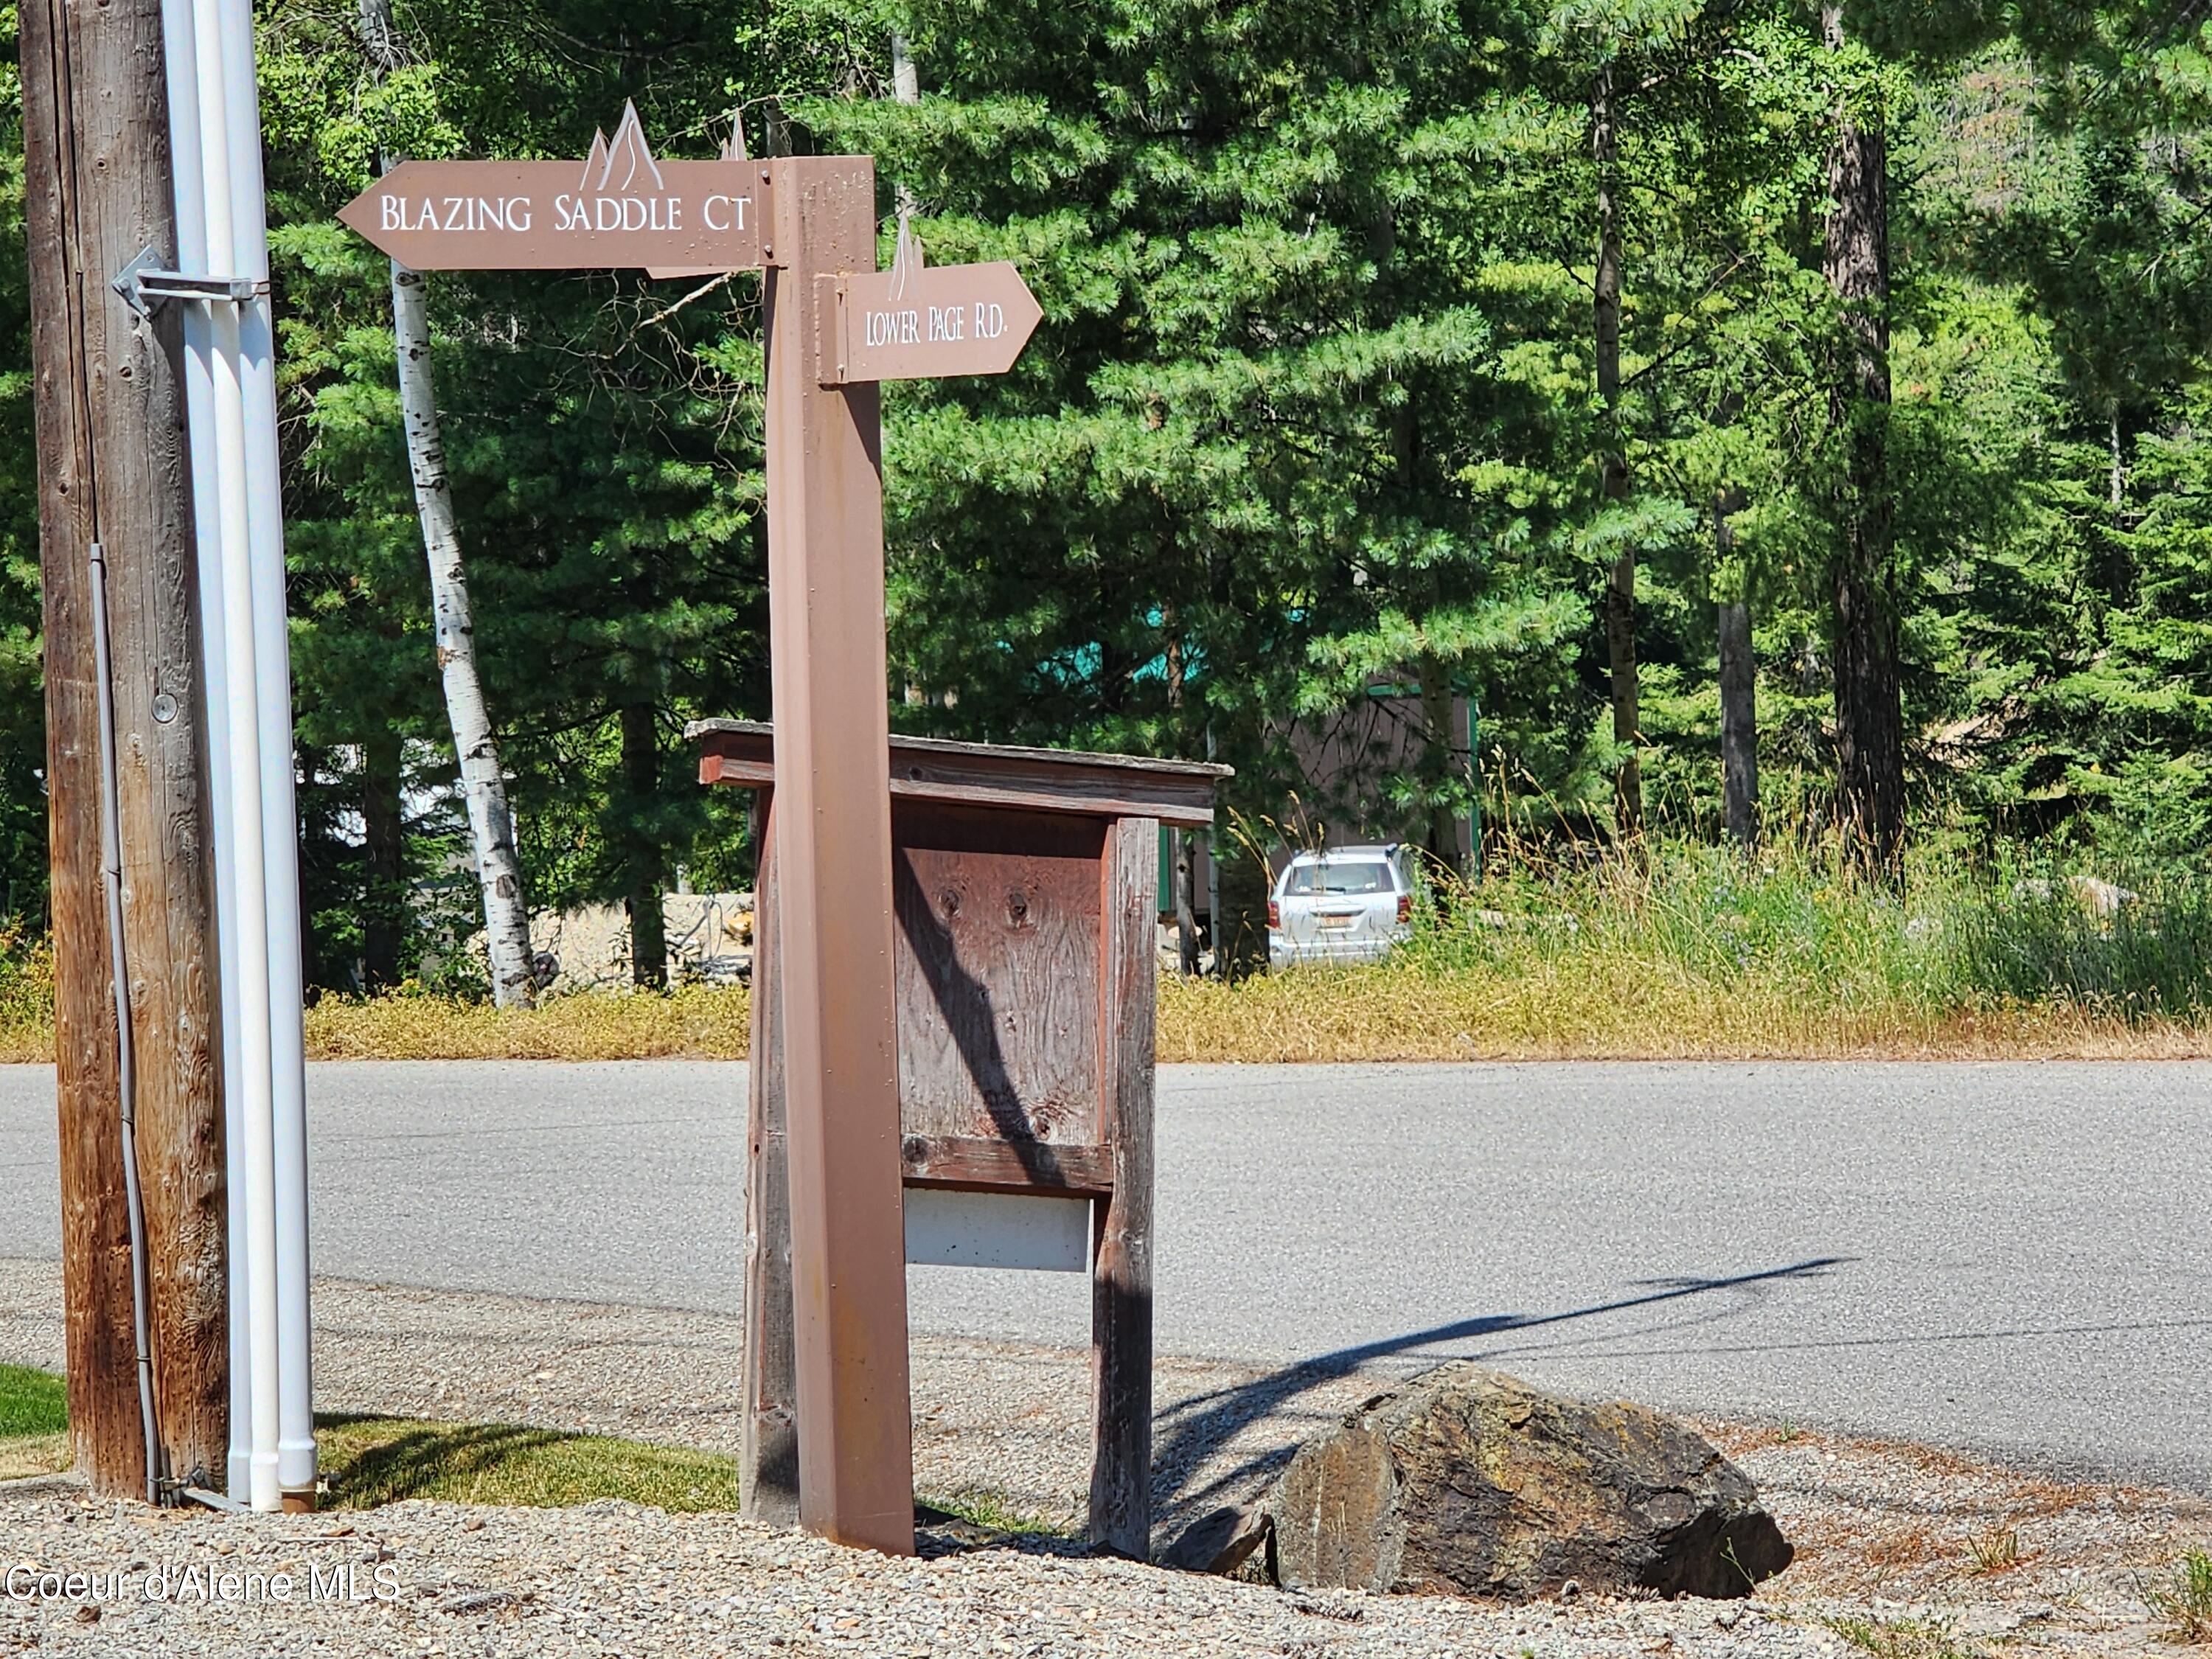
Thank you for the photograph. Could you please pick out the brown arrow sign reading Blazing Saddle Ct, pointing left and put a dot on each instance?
(618, 209)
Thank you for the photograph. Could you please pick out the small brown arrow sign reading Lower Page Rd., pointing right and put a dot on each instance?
(915, 324)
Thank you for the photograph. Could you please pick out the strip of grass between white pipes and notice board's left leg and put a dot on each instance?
(388, 1461)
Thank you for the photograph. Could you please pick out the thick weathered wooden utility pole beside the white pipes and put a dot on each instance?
(112, 470)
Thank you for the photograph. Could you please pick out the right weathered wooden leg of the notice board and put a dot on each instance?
(1123, 1251)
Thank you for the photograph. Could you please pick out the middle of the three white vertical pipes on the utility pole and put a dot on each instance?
(242, 705)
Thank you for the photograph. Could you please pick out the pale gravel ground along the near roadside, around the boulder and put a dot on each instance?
(1906, 1552)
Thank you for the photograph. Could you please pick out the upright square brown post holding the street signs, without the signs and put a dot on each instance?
(835, 873)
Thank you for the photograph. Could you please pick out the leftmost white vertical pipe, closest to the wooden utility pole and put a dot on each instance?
(189, 176)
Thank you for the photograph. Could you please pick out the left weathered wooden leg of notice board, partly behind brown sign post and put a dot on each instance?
(769, 1439)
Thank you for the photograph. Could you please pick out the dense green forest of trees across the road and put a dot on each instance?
(1572, 359)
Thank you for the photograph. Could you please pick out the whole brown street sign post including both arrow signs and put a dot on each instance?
(811, 222)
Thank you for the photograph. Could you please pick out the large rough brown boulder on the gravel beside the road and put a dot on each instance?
(1474, 1483)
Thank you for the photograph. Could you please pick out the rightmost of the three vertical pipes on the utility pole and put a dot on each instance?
(280, 815)
